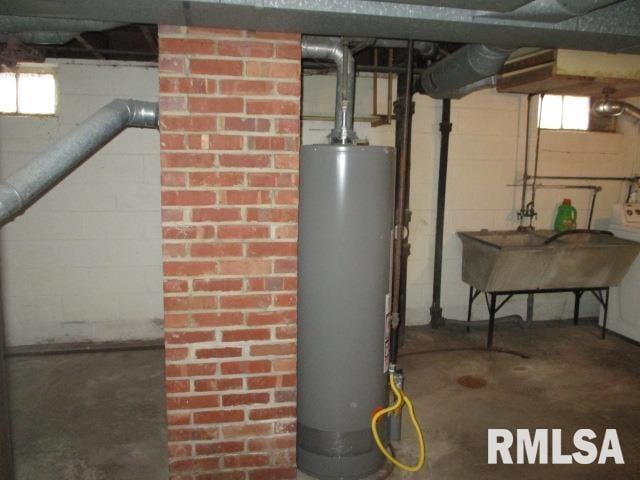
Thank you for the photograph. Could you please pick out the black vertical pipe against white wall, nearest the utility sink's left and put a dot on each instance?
(445, 130)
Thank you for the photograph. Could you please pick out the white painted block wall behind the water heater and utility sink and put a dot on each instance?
(486, 154)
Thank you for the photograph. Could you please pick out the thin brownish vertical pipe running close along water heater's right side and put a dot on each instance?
(402, 181)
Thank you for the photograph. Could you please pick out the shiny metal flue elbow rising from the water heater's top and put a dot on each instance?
(335, 50)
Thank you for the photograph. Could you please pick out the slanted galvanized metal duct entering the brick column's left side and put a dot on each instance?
(24, 187)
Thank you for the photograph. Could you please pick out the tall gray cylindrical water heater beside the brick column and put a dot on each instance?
(346, 218)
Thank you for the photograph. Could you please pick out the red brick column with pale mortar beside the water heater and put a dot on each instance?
(229, 120)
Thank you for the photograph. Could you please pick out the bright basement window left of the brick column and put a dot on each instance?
(28, 91)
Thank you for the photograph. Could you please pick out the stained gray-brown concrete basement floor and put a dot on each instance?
(100, 416)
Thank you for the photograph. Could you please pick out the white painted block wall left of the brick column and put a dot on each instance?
(84, 263)
